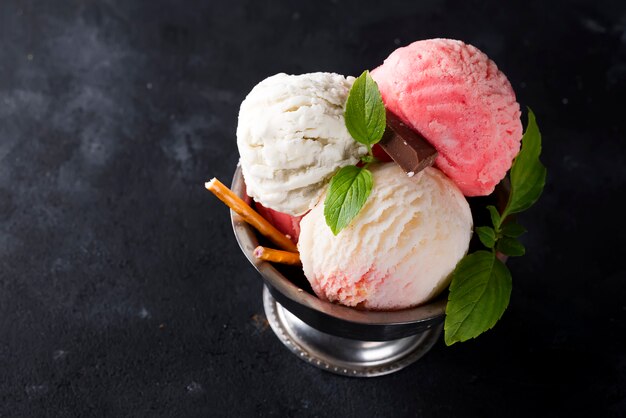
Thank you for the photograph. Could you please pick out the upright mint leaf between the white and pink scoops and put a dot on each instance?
(365, 112)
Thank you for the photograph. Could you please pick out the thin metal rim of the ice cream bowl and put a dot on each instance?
(247, 240)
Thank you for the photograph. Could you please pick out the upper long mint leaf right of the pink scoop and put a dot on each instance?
(528, 175)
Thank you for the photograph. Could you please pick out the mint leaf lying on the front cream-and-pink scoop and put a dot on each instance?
(347, 193)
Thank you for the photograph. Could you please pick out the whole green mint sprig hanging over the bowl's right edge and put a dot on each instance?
(481, 283)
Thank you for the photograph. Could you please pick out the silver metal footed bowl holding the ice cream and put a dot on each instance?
(337, 338)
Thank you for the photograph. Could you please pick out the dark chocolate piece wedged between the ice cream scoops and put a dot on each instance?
(407, 147)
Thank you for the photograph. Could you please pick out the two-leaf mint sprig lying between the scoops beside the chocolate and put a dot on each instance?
(350, 187)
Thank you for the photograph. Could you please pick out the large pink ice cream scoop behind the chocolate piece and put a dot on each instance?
(456, 97)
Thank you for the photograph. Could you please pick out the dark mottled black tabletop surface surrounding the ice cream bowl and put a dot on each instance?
(122, 289)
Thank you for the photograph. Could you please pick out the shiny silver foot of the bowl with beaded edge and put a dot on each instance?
(345, 356)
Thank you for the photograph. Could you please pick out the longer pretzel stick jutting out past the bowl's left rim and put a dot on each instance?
(249, 215)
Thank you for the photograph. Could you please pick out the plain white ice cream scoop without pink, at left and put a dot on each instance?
(292, 138)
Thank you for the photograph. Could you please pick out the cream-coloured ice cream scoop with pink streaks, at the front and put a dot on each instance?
(398, 251)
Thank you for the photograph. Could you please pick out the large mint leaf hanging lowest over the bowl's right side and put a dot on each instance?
(479, 294)
